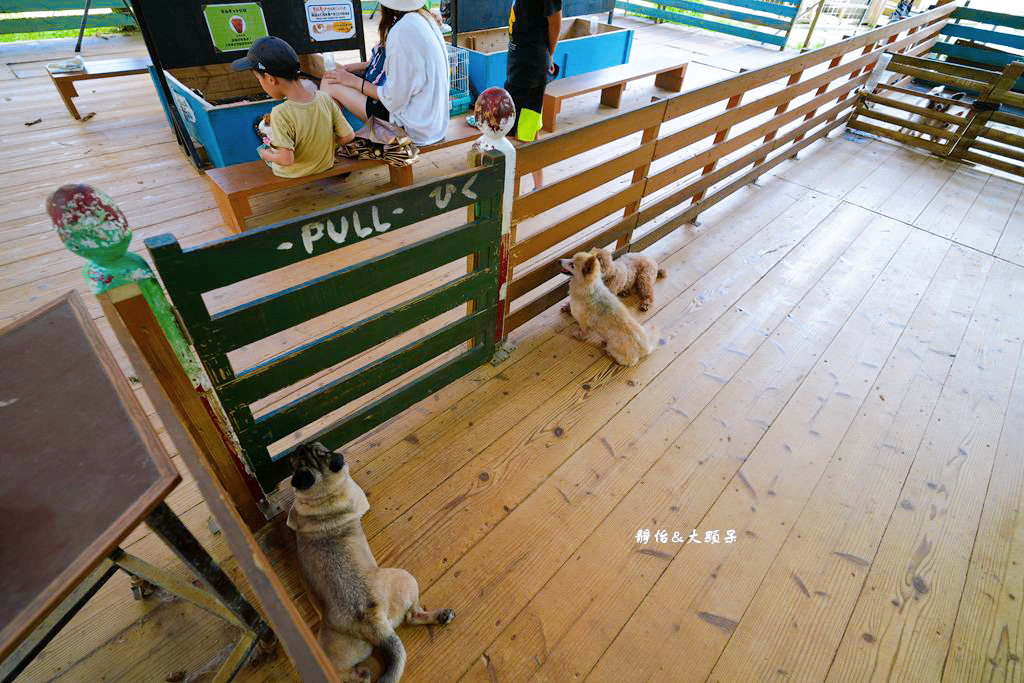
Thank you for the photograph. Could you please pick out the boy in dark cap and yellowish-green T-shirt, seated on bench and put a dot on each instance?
(307, 127)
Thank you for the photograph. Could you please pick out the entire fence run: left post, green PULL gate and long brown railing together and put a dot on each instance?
(664, 165)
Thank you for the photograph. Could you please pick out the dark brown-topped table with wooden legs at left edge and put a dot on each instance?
(83, 466)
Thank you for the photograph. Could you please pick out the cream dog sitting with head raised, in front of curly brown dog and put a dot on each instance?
(602, 316)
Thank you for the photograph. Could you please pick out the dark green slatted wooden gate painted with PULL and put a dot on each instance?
(189, 274)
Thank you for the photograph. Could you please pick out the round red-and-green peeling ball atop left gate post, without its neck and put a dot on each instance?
(90, 224)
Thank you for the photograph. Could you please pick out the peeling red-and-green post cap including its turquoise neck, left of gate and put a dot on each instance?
(91, 225)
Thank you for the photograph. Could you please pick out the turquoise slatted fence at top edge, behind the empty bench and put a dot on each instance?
(755, 20)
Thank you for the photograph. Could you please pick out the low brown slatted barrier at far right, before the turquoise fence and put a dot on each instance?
(980, 134)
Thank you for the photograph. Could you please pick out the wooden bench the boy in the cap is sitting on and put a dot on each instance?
(233, 186)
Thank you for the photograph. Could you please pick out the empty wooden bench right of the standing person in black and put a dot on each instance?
(612, 82)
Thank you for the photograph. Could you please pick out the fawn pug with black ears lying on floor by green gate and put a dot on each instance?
(361, 605)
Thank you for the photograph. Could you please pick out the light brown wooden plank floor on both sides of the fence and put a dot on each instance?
(839, 387)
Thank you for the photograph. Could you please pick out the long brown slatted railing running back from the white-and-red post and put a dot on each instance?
(676, 158)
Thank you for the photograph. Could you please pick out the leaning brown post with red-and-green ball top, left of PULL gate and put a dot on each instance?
(93, 227)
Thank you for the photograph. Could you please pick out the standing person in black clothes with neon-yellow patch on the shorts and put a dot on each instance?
(534, 29)
